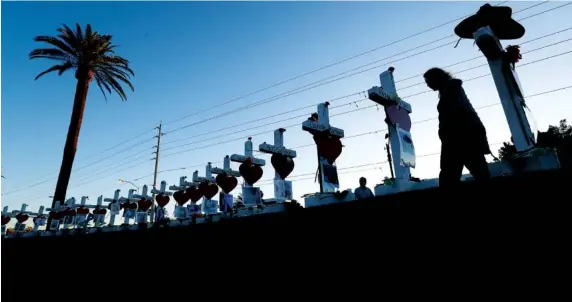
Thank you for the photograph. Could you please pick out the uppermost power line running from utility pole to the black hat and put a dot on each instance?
(327, 66)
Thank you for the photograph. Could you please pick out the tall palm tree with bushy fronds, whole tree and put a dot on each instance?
(91, 56)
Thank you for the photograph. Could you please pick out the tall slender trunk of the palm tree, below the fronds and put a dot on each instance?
(72, 139)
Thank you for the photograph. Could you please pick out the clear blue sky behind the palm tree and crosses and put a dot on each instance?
(191, 56)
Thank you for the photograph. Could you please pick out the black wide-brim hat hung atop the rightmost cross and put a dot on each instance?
(499, 18)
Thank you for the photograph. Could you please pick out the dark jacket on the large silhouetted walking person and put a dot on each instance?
(459, 123)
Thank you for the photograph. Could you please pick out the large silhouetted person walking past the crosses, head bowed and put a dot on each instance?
(463, 135)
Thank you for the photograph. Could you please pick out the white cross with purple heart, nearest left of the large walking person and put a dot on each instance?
(386, 95)
